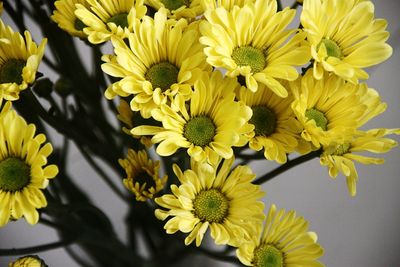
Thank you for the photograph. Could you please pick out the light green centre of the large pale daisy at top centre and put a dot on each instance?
(249, 56)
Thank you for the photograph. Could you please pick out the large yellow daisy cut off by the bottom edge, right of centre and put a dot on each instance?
(284, 242)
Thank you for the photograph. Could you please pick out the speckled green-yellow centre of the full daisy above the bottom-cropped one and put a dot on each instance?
(211, 206)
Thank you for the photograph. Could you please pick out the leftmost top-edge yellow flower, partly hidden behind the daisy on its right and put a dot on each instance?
(64, 16)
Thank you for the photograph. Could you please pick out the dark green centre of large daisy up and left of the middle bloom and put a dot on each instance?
(162, 75)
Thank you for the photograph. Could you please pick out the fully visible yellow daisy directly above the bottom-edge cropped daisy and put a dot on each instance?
(225, 201)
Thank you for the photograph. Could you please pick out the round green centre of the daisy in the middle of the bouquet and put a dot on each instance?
(199, 130)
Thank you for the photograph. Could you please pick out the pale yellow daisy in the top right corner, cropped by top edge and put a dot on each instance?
(344, 37)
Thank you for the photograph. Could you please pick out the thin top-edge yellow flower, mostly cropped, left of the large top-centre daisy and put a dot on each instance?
(188, 9)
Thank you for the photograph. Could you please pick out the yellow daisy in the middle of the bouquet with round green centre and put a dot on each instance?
(208, 127)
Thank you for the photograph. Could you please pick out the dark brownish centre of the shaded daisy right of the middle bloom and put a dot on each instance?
(264, 120)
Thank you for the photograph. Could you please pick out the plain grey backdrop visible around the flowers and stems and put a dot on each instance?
(355, 232)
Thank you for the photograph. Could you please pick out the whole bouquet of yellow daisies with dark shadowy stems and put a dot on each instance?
(178, 98)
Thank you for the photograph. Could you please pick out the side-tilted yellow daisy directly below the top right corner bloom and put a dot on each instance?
(331, 109)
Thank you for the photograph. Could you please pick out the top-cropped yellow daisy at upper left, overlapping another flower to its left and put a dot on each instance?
(106, 18)
